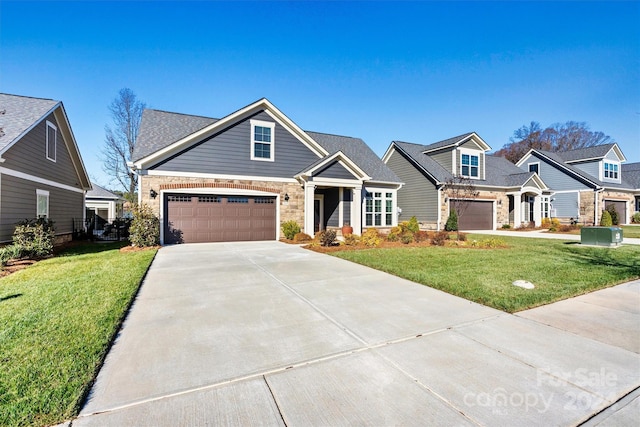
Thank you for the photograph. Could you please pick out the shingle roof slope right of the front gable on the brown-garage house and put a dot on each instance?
(359, 152)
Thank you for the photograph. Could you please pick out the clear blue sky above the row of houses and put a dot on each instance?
(382, 71)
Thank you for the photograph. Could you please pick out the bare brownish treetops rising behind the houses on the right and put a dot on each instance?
(557, 137)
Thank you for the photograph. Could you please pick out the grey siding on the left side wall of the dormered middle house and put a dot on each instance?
(418, 197)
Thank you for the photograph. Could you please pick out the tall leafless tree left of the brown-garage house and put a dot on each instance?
(120, 140)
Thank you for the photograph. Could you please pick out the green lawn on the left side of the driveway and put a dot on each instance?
(57, 320)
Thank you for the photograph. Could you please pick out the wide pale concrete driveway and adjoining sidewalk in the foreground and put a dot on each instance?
(271, 334)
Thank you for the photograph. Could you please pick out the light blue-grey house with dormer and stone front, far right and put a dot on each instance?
(585, 181)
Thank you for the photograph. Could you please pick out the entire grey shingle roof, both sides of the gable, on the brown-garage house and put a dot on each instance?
(159, 129)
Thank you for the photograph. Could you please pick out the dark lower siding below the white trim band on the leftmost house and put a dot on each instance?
(18, 201)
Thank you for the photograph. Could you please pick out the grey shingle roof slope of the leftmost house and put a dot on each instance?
(19, 113)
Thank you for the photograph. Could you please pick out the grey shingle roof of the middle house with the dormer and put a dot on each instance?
(499, 172)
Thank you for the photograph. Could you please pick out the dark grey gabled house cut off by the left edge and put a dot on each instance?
(41, 170)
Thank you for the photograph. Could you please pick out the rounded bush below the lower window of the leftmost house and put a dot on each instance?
(34, 237)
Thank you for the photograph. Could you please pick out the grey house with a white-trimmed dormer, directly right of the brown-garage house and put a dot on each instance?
(505, 194)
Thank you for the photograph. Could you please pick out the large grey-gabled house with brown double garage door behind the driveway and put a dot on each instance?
(237, 178)
